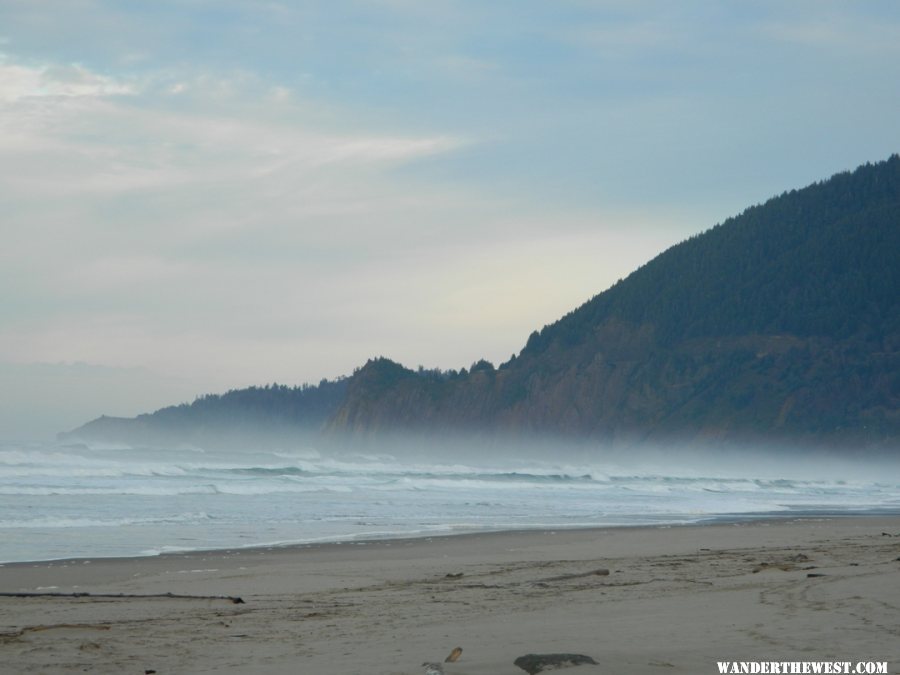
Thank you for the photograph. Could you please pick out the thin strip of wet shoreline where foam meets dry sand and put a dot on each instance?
(720, 519)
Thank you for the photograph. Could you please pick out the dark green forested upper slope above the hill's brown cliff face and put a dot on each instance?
(824, 260)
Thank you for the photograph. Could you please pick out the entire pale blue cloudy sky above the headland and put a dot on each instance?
(200, 195)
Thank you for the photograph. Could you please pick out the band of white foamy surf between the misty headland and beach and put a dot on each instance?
(77, 501)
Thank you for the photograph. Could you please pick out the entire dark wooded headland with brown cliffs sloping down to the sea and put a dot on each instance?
(782, 323)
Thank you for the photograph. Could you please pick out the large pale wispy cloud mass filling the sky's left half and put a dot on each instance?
(148, 216)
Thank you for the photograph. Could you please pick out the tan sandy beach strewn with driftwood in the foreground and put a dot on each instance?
(674, 600)
